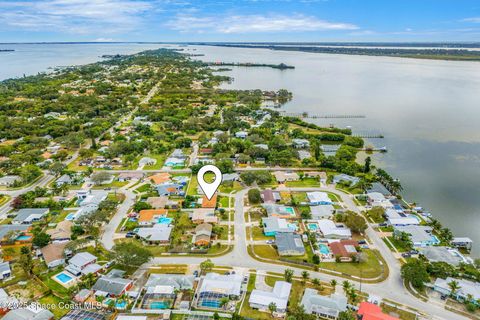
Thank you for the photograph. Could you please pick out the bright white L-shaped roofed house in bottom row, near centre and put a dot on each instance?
(260, 299)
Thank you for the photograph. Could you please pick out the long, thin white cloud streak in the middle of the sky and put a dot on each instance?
(253, 24)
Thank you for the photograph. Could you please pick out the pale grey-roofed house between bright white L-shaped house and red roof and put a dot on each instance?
(328, 307)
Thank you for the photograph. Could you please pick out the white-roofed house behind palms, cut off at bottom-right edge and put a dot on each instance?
(467, 290)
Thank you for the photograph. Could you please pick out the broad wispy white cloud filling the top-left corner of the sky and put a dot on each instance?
(73, 16)
